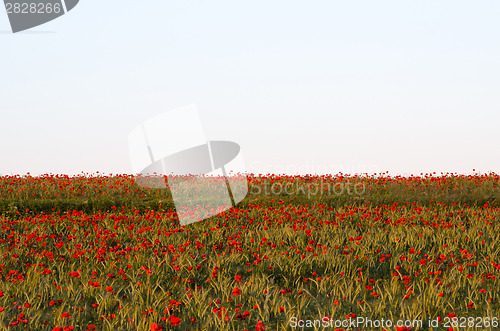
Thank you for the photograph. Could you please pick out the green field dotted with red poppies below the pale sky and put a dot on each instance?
(97, 252)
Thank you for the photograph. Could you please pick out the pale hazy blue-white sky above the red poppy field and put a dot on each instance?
(327, 86)
